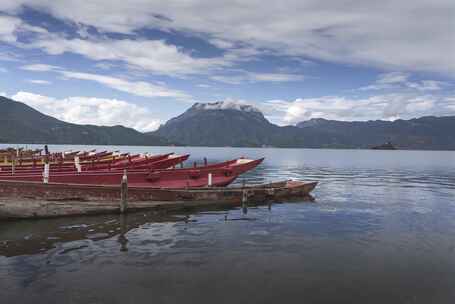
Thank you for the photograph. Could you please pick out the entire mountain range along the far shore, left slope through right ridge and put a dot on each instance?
(229, 124)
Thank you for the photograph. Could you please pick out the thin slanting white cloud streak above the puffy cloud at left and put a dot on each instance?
(138, 88)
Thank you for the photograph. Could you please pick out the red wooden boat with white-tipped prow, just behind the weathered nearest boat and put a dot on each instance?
(214, 175)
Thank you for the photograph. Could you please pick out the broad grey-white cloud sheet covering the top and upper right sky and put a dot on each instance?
(404, 35)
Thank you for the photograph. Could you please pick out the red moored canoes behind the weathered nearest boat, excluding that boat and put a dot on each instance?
(157, 171)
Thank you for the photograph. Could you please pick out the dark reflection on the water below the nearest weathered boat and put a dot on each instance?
(68, 234)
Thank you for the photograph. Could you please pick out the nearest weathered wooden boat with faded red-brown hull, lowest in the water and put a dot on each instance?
(35, 200)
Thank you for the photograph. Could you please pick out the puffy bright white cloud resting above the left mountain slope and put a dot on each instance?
(90, 110)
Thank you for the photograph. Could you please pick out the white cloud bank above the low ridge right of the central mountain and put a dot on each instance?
(387, 106)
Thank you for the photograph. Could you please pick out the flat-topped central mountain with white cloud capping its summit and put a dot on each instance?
(224, 124)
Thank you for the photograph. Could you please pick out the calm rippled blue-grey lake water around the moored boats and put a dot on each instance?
(382, 230)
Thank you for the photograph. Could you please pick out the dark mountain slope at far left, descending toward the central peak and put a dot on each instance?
(20, 123)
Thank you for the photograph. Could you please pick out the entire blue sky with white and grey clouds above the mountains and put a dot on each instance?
(139, 63)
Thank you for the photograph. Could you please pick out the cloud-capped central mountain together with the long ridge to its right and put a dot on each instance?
(233, 124)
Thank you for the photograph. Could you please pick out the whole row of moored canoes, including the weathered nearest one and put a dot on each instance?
(98, 182)
